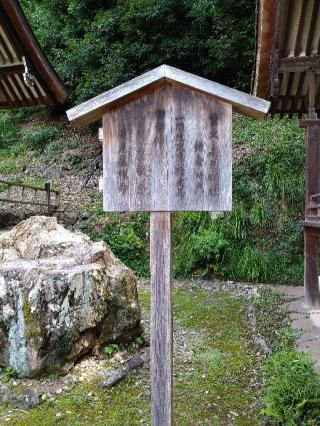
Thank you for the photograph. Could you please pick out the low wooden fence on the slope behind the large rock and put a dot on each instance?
(18, 193)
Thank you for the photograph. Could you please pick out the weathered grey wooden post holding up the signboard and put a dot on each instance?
(161, 318)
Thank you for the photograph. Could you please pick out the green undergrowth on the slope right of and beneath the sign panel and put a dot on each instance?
(260, 240)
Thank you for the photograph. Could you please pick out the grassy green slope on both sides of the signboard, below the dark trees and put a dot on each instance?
(260, 240)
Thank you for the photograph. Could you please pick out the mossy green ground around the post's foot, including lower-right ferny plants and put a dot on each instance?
(217, 374)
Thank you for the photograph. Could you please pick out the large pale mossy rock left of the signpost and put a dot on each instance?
(61, 296)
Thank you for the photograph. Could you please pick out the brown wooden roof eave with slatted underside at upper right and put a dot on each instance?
(288, 46)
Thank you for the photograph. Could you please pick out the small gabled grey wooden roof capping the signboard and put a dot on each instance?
(93, 109)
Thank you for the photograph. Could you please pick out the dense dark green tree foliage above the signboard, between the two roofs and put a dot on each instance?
(97, 44)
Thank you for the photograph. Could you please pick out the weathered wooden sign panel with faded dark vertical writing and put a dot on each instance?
(168, 151)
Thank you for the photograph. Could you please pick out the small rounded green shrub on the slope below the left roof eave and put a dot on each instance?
(37, 137)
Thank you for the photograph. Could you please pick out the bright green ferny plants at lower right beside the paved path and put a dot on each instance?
(291, 393)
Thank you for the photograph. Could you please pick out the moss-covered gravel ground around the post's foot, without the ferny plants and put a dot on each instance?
(202, 346)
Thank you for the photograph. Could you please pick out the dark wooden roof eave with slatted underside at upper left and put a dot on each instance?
(26, 76)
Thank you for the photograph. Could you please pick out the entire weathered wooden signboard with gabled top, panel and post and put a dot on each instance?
(166, 147)
